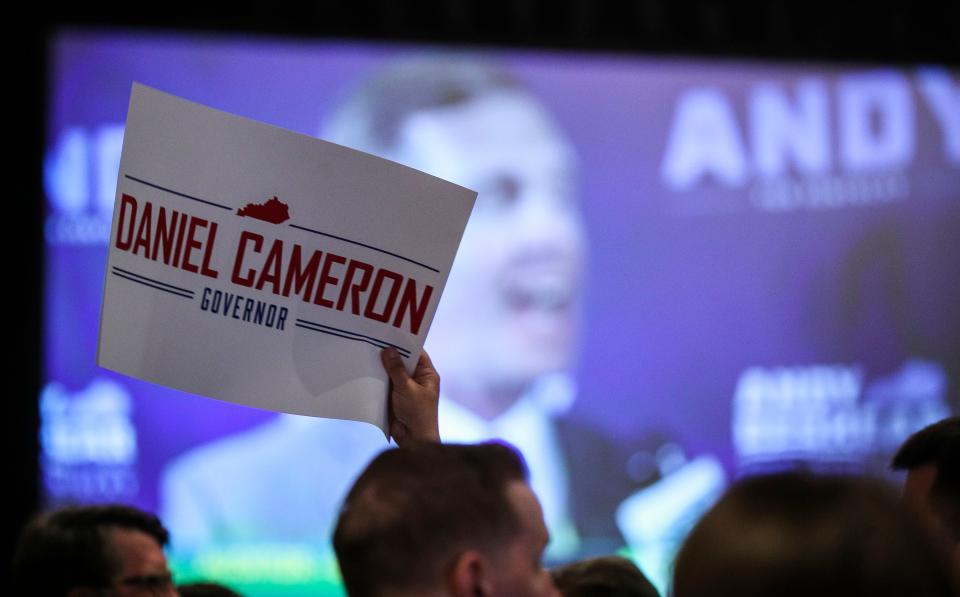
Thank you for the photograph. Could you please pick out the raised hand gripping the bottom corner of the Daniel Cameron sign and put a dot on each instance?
(413, 399)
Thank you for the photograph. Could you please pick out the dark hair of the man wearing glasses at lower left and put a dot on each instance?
(69, 548)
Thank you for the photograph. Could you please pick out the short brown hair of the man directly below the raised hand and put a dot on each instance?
(414, 509)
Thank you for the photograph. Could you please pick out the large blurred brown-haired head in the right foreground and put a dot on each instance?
(793, 535)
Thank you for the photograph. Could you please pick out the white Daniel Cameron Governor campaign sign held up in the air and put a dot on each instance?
(263, 267)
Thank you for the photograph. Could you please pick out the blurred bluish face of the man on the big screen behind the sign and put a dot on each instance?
(508, 313)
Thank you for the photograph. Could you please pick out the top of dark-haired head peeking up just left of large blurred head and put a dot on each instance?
(608, 576)
